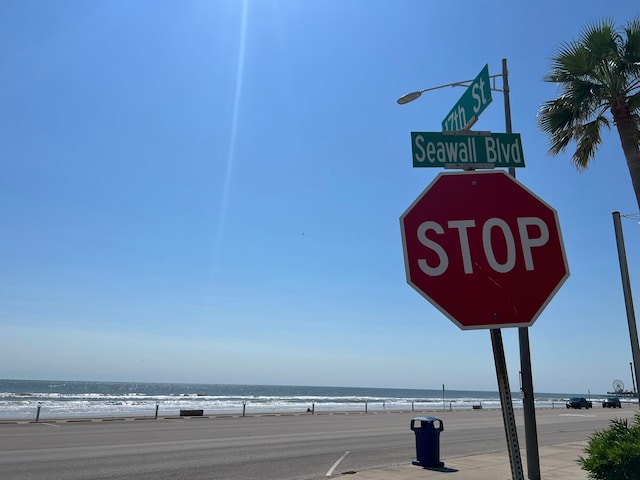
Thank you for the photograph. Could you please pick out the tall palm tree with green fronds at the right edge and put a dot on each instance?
(597, 74)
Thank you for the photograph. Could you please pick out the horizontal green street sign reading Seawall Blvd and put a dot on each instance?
(466, 149)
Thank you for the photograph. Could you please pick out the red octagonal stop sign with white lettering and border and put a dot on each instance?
(483, 249)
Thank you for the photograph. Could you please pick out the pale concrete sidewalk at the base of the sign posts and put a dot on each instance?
(557, 462)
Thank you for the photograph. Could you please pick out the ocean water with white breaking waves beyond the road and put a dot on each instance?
(20, 399)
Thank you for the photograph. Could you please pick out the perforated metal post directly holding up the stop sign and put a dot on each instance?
(508, 416)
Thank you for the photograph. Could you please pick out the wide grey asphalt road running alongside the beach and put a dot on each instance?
(278, 447)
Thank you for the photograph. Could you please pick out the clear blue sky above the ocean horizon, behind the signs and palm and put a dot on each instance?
(209, 191)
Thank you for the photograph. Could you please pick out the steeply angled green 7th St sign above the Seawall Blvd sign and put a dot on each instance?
(471, 104)
